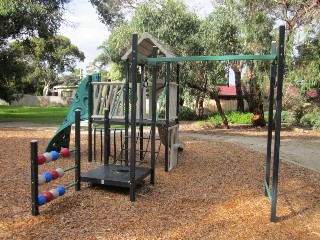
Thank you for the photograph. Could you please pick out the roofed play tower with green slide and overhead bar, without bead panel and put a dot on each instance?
(125, 104)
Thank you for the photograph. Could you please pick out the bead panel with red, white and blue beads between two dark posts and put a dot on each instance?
(46, 158)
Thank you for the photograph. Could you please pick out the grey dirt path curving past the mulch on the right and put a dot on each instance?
(304, 152)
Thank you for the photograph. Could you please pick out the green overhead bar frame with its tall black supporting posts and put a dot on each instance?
(276, 81)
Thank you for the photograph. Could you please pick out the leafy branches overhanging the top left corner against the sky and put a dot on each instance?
(32, 18)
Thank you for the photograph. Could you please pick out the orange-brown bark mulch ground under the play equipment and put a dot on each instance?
(215, 192)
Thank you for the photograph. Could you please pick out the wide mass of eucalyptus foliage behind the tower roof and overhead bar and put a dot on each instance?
(233, 27)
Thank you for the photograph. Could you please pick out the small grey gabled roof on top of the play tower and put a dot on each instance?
(145, 46)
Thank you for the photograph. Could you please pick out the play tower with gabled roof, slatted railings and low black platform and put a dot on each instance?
(126, 104)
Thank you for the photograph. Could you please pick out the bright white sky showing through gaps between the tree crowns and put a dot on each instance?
(85, 30)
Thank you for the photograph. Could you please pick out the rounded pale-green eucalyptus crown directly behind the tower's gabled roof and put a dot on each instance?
(169, 21)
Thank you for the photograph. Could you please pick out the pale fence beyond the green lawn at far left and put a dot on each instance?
(43, 101)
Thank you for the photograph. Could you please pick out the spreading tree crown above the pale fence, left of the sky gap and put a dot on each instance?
(48, 58)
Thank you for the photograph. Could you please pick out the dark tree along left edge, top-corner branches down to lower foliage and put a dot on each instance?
(23, 19)
